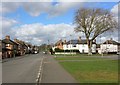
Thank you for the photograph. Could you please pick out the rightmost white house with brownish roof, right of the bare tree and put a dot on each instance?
(109, 46)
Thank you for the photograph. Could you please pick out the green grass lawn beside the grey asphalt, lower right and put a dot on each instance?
(91, 69)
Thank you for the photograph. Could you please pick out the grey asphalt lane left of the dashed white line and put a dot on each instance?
(22, 69)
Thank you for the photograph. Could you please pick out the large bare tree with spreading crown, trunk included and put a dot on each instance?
(93, 22)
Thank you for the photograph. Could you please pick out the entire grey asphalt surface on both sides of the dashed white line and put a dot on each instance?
(34, 68)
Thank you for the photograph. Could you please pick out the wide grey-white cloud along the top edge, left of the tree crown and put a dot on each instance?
(36, 8)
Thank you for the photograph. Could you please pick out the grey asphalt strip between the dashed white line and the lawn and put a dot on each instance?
(53, 72)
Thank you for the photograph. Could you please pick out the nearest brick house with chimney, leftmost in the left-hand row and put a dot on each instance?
(9, 47)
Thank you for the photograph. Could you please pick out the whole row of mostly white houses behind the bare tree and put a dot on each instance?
(109, 46)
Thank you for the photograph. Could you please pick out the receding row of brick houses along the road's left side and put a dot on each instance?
(11, 48)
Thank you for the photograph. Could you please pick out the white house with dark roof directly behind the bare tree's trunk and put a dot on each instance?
(79, 44)
